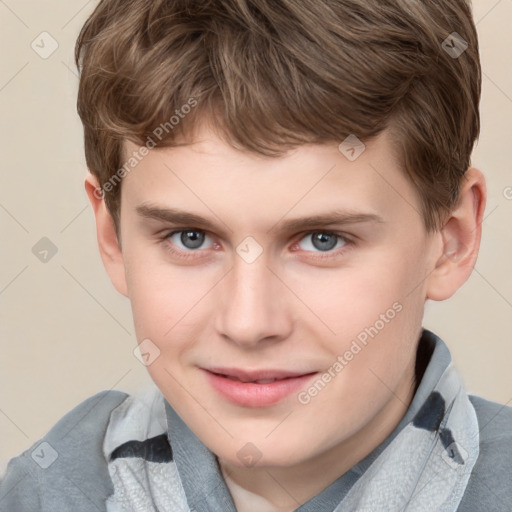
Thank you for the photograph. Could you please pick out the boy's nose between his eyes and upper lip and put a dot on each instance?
(253, 305)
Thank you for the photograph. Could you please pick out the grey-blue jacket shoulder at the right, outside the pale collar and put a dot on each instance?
(490, 485)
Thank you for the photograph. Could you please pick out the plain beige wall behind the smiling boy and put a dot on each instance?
(66, 333)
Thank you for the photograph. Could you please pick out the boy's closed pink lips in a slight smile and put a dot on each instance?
(256, 388)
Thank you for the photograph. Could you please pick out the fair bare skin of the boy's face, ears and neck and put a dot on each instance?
(288, 309)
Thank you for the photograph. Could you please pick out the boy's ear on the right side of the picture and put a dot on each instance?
(461, 234)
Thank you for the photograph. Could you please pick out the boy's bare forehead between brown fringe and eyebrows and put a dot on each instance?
(211, 178)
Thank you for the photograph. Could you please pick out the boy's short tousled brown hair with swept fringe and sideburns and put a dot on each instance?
(274, 74)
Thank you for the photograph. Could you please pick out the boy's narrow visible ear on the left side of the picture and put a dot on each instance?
(110, 248)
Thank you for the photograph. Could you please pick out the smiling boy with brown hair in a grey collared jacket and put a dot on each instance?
(279, 186)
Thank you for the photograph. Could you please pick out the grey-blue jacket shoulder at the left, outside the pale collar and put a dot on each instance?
(66, 467)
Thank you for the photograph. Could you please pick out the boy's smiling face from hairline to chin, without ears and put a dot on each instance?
(309, 269)
